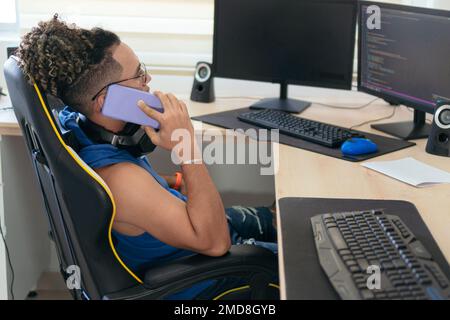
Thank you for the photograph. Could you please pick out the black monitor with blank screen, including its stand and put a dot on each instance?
(303, 42)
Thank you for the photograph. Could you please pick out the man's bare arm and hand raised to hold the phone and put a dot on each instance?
(199, 224)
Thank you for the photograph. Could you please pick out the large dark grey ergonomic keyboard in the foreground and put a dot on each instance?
(357, 249)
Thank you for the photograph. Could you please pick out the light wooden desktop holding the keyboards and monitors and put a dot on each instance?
(307, 174)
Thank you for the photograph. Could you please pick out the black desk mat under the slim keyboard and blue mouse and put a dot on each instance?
(229, 120)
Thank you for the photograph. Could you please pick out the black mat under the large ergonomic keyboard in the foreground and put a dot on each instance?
(304, 276)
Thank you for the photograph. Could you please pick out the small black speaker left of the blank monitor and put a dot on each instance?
(203, 87)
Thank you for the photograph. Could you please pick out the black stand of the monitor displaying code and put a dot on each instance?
(417, 129)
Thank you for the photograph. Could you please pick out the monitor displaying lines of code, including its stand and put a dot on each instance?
(406, 61)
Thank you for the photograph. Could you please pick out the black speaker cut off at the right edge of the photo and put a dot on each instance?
(439, 139)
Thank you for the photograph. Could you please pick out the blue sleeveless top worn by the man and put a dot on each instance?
(137, 252)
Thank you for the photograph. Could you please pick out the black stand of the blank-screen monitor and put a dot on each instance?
(282, 103)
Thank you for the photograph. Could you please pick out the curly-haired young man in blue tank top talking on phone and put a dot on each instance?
(154, 222)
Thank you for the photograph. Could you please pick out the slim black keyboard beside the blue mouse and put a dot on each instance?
(313, 131)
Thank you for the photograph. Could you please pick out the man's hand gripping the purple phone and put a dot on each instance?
(175, 116)
